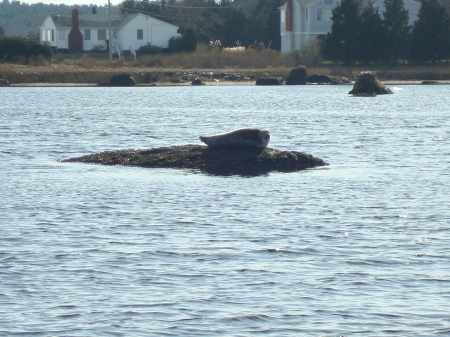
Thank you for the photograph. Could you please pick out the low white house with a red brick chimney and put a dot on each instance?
(91, 32)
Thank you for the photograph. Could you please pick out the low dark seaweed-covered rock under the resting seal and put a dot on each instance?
(247, 161)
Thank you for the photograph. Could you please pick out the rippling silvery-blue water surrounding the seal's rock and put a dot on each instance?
(359, 248)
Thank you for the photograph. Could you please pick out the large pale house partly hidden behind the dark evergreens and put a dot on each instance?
(303, 20)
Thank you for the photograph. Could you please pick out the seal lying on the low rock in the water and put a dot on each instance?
(245, 137)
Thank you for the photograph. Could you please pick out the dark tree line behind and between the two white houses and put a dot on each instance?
(241, 22)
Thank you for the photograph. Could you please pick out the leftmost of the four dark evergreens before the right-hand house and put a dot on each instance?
(342, 43)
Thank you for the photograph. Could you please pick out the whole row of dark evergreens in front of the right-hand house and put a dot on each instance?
(361, 34)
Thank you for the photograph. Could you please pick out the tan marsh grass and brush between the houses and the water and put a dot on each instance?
(240, 64)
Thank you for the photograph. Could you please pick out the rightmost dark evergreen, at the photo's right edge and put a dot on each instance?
(430, 40)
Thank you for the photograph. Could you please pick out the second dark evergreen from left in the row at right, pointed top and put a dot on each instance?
(372, 37)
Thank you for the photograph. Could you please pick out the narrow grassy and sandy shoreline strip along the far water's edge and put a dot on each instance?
(60, 75)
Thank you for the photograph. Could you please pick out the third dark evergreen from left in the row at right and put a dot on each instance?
(397, 29)
